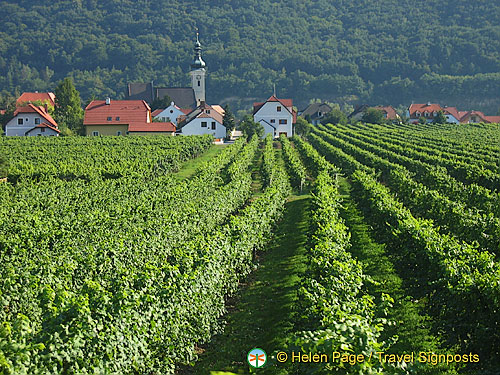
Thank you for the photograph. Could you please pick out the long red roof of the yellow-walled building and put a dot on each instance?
(128, 112)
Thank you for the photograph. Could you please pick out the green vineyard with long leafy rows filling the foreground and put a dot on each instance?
(170, 255)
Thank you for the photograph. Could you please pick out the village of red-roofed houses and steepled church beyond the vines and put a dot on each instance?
(189, 114)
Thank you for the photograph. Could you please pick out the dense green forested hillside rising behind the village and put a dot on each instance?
(374, 51)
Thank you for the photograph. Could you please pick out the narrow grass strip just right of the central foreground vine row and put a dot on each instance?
(412, 326)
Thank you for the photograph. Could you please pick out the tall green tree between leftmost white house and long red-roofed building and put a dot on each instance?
(68, 111)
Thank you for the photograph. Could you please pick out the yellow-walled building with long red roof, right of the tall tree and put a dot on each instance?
(113, 117)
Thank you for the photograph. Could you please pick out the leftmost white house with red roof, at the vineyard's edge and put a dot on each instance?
(32, 120)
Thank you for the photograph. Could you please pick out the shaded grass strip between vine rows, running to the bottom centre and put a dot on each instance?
(262, 314)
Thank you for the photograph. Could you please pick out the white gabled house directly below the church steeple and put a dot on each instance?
(205, 119)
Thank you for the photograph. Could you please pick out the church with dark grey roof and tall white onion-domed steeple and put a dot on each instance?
(184, 97)
